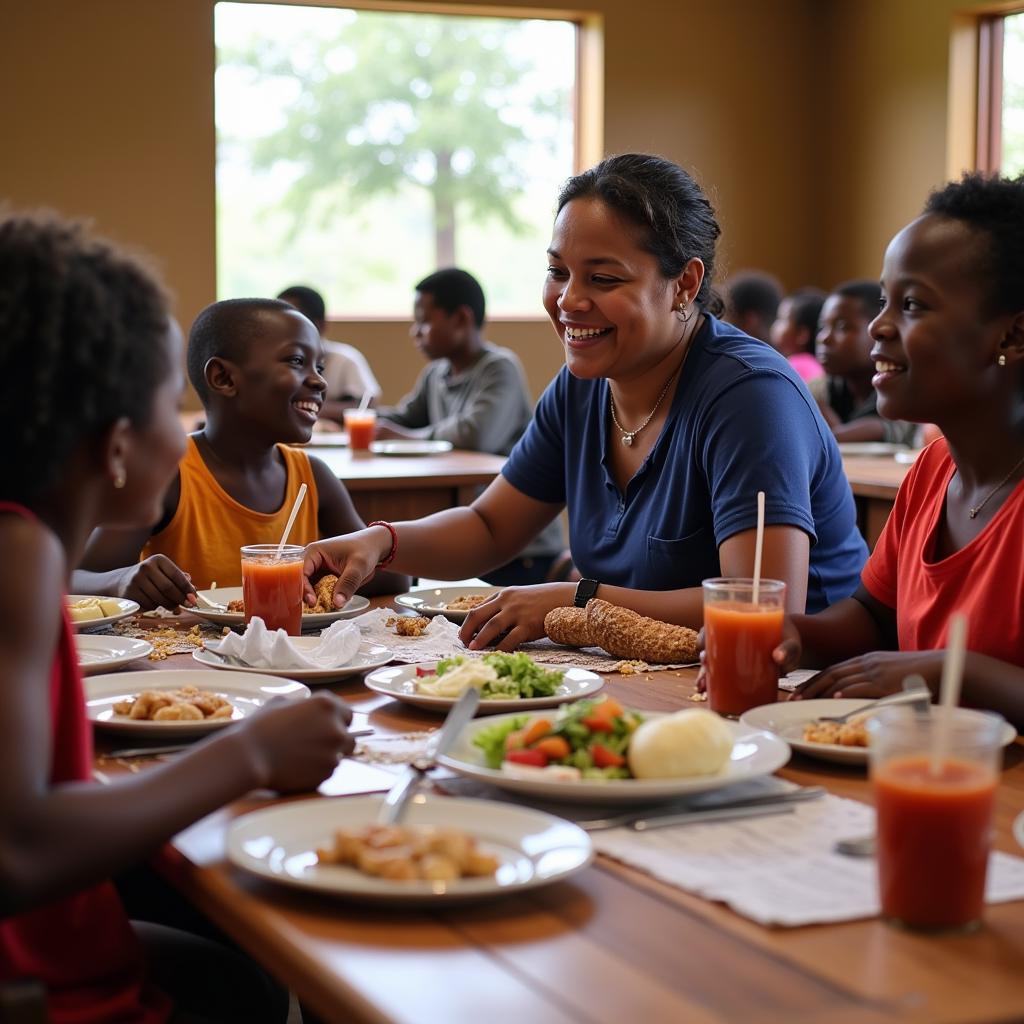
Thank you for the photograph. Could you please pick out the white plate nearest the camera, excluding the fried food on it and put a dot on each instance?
(534, 849)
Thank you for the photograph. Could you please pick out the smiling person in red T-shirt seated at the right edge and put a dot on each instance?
(949, 350)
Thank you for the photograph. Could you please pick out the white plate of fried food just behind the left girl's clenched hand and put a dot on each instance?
(180, 702)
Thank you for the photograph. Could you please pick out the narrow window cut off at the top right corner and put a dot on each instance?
(1001, 95)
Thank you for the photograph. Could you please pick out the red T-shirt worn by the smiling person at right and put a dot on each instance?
(985, 580)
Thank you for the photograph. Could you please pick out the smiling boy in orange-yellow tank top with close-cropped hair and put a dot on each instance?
(257, 367)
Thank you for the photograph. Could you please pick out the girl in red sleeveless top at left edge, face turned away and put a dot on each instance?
(94, 438)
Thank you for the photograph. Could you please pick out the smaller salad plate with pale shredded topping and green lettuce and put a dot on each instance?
(506, 682)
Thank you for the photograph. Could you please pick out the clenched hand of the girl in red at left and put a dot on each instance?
(294, 746)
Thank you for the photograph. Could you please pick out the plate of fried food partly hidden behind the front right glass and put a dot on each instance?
(802, 726)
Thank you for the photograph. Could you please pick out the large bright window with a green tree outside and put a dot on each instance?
(361, 150)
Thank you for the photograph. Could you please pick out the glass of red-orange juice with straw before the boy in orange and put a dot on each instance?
(273, 581)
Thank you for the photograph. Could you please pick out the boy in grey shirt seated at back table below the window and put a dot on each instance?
(472, 394)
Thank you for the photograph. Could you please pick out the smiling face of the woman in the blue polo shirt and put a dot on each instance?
(608, 300)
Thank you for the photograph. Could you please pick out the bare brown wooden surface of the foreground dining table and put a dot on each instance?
(609, 946)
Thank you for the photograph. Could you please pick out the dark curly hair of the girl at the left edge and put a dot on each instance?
(81, 331)
